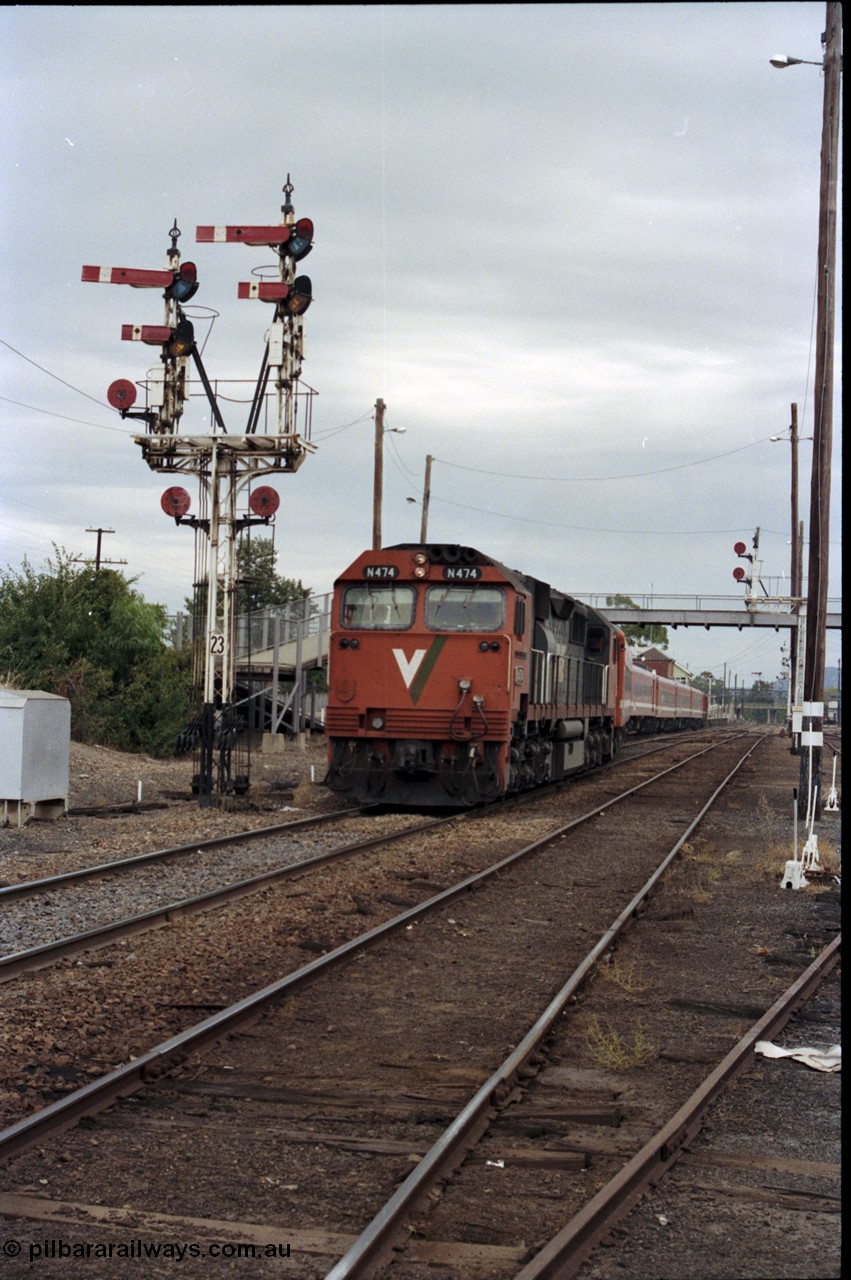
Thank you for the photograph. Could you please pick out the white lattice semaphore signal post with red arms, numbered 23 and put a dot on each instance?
(274, 441)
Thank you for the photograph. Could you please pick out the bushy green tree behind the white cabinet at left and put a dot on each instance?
(88, 636)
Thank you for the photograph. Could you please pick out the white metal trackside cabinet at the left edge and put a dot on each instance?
(35, 753)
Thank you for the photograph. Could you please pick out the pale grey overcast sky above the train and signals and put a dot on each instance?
(573, 248)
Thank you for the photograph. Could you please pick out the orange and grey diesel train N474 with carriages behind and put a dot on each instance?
(455, 682)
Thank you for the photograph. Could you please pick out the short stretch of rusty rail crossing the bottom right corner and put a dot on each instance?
(562, 1258)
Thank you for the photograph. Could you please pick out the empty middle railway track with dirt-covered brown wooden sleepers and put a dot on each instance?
(345, 1050)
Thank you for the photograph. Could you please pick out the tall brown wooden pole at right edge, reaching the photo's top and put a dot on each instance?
(817, 604)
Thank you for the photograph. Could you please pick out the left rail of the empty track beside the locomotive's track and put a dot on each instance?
(131, 1077)
